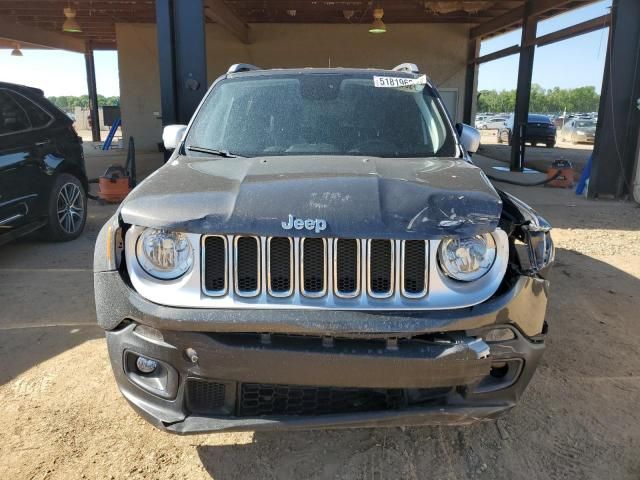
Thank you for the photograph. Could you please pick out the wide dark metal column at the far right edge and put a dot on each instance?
(614, 153)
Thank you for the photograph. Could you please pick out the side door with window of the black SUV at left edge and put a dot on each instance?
(21, 156)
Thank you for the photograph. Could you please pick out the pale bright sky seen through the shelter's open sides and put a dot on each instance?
(572, 63)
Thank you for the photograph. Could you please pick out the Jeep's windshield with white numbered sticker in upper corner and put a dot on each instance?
(323, 114)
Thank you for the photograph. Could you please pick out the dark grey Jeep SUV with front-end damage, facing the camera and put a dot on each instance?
(320, 251)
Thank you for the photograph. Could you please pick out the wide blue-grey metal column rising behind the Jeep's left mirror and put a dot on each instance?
(183, 63)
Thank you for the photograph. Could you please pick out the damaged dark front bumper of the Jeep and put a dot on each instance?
(439, 378)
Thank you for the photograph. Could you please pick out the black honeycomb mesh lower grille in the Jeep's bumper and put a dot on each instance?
(261, 399)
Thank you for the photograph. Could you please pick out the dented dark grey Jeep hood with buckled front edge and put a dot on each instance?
(356, 196)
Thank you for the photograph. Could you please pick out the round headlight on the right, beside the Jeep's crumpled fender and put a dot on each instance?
(469, 258)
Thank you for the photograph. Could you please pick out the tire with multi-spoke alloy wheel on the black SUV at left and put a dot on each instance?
(67, 210)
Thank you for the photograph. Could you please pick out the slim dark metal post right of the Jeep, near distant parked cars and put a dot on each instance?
(523, 92)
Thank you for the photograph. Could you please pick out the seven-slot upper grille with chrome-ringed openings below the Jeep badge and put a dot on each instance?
(315, 270)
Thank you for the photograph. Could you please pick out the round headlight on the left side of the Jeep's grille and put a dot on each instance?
(164, 255)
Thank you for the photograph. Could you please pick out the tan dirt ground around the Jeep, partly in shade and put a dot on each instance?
(579, 419)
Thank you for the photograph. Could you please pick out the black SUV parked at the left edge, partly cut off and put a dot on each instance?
(43, 182)
